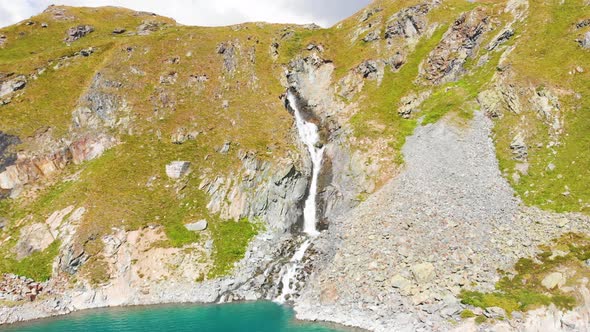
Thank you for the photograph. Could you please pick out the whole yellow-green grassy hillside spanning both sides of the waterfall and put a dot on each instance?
(224, 85)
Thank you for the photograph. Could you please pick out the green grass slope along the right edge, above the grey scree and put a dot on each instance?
(545, 54)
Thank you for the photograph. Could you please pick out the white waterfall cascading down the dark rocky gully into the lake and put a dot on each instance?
(309, 135)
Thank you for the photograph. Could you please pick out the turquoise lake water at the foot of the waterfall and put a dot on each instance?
(254, 316)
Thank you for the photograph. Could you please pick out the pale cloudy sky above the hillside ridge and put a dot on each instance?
(205, 12)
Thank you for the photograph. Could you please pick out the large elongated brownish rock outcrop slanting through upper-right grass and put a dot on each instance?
(445, 63)
